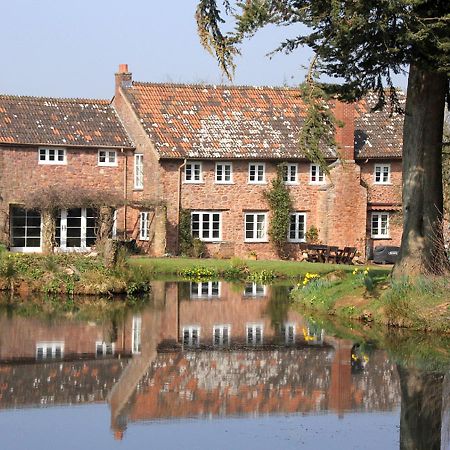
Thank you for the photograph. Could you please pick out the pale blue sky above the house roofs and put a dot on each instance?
(72, 48)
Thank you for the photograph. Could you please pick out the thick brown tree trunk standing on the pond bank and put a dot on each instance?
(422, 249)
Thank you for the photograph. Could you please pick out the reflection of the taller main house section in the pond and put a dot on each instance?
(221, 351)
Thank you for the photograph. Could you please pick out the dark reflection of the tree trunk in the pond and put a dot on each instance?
(421, 410)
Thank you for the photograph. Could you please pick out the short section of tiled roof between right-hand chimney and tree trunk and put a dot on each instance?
(378, 134)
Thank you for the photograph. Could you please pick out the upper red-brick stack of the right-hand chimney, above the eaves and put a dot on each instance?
(345, 136)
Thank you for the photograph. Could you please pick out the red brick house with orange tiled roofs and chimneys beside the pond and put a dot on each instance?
(170, 125)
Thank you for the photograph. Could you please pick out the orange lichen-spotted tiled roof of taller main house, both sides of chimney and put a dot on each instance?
(200, 121)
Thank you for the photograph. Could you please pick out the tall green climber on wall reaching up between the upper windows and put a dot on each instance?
(280, 204)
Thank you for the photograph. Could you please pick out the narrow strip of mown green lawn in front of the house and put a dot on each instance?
(291, 269)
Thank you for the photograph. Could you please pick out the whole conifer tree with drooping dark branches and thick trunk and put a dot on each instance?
(363, 43)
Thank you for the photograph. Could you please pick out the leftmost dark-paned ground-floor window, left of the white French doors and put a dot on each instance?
(25, 226)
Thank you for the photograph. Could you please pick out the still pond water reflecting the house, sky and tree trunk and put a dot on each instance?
(217, 366)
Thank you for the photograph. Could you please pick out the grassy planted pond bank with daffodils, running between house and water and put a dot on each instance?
(363, 293)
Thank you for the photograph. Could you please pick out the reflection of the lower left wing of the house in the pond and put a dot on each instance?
(60, 361)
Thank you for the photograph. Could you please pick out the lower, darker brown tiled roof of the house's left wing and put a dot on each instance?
(56, 121)
